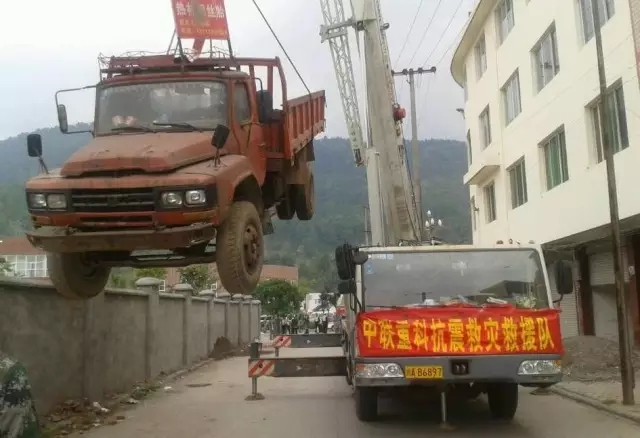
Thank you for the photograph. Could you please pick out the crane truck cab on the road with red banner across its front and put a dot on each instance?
(450, 319)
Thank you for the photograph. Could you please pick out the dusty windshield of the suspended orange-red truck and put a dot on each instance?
(182, 105)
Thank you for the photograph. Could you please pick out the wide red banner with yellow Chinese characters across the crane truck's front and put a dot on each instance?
(458, 330)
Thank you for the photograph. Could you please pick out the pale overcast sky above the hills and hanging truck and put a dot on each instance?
(57, 48)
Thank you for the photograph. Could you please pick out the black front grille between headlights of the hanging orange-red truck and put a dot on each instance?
(112, 201)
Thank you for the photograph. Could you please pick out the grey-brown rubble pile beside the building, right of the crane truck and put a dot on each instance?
(593, 359)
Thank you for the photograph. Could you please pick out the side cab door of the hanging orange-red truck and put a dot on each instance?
(248, 130)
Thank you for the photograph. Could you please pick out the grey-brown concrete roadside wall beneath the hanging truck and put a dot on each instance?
(107, 344)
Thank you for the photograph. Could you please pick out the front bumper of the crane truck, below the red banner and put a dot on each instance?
(479, 369)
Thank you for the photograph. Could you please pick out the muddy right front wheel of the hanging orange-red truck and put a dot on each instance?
(240, 249)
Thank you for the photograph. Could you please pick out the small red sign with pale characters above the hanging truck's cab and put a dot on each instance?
(200, 19)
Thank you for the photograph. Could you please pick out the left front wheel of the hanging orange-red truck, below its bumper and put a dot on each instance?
(74, 278)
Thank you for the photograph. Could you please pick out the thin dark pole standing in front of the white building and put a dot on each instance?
(626, 365)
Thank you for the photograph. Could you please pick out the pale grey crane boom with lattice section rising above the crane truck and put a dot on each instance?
(394, 216)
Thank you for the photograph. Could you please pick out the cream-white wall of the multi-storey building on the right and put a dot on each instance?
(581, 203)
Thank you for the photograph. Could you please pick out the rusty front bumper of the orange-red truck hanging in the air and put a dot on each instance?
(62, 239)
